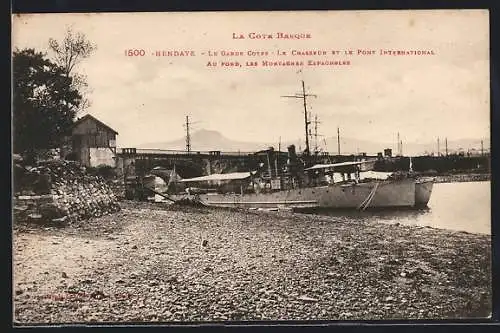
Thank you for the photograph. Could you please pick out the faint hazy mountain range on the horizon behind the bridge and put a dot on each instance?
(207, 140)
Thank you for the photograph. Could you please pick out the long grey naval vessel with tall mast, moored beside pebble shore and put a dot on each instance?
(303, 183)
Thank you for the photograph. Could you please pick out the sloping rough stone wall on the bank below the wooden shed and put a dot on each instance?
(62, 192)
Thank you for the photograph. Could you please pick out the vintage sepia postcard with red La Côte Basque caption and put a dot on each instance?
(249, 166)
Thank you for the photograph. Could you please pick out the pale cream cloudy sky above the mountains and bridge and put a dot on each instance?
(146, 99)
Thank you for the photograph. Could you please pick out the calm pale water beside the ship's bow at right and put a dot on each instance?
(455, 206)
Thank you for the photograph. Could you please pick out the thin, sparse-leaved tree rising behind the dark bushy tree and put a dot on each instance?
(68, 54)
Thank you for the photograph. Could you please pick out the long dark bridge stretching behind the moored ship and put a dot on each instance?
(135, 161)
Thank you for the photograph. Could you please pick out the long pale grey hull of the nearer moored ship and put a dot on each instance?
(384, 194)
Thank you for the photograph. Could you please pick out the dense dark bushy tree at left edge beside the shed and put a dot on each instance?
(44, 102)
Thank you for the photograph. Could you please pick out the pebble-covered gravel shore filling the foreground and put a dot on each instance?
(153, 263)
